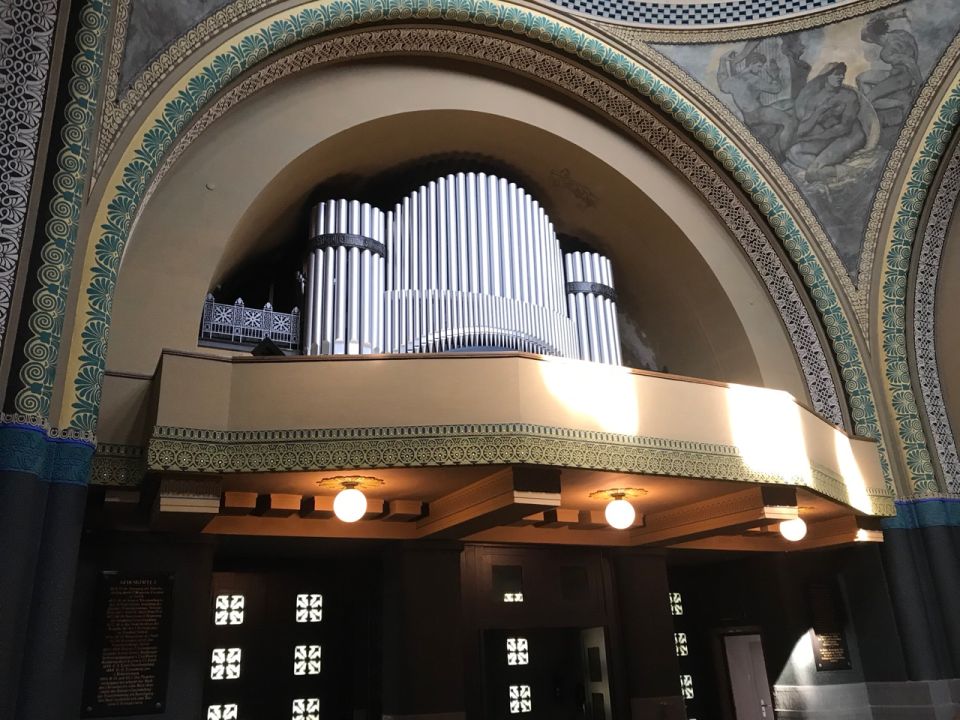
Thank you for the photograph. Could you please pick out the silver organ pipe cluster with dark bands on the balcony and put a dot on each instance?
(468, 261)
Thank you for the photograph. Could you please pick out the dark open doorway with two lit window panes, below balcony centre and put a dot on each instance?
(546, 674)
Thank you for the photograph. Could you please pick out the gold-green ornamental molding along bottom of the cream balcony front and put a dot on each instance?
(191, 450)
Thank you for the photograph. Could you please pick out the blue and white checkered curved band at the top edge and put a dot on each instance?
(679, 14)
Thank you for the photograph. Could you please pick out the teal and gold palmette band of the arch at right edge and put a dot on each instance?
(891, 318)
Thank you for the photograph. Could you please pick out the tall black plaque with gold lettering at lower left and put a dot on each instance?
(126, 670)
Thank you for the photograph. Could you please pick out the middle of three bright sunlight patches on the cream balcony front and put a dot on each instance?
(768, 432)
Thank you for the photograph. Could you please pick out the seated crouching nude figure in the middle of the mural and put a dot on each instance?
(830, 129)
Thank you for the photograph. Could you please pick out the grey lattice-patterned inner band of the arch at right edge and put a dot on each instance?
(924, 312)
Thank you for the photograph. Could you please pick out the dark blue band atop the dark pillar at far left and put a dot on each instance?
(29, 449)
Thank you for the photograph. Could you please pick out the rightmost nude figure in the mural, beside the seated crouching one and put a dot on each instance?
(891, 89)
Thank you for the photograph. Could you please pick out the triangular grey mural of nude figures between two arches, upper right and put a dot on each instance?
(828, 103)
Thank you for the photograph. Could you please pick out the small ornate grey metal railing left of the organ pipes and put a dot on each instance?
(237, 324)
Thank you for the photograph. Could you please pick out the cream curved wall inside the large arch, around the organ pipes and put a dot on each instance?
(711, 319)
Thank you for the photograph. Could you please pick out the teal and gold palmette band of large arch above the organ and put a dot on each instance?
(198, 87)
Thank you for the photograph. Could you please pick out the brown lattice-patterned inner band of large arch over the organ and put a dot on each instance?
(635, 119)
